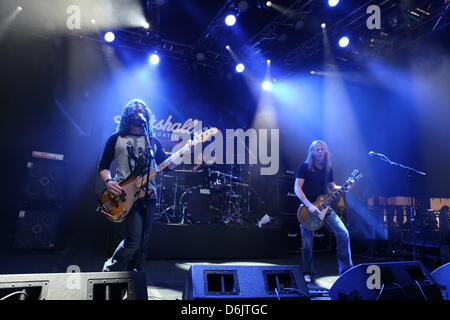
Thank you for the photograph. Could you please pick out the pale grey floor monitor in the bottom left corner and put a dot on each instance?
(74, 286)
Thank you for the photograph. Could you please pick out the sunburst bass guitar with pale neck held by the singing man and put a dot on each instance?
(117, 208)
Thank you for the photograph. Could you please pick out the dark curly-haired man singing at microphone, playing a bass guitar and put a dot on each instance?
(129, 148)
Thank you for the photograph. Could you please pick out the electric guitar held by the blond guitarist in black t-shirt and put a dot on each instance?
(313, 221)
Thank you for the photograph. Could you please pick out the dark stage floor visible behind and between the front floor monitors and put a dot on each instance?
(165, 278)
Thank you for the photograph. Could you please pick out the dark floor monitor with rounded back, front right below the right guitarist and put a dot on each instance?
(386, 281)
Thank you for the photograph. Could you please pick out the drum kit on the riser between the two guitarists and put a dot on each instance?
(204, 196)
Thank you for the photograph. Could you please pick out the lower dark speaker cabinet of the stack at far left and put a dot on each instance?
(37, 228)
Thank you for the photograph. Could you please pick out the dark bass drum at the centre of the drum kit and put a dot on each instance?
(202, 205)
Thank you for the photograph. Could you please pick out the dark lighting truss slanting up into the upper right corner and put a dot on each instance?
(418, 20)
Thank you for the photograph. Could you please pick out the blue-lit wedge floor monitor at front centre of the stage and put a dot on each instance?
(245, 282)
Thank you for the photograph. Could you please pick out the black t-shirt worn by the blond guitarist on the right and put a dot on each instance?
(316, 181)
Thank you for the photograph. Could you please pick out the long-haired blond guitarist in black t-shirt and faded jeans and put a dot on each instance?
(315, 177)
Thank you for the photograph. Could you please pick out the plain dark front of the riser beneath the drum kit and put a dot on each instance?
(170, 241)
